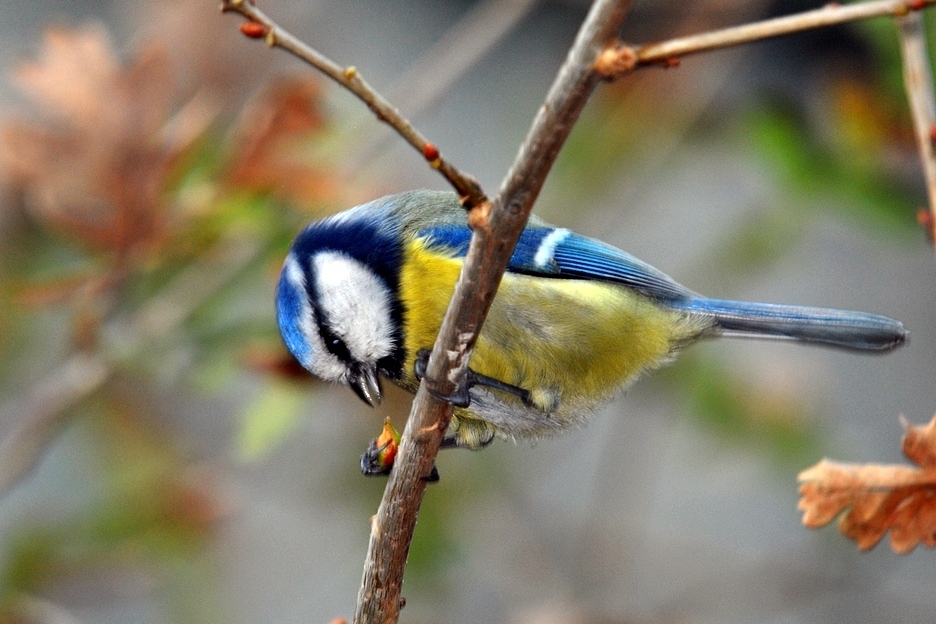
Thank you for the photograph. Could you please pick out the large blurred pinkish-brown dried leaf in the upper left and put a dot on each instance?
(94, 168)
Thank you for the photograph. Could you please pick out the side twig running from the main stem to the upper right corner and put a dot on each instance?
(622, 58)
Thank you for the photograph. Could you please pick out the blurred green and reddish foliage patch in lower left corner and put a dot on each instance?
(150, 516)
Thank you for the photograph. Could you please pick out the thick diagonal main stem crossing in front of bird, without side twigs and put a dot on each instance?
(496, 230)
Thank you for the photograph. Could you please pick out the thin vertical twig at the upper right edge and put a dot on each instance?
(918, 82)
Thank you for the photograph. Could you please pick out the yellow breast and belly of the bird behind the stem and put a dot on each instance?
(575, 341)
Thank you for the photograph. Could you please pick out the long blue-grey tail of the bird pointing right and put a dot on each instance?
(839, 328)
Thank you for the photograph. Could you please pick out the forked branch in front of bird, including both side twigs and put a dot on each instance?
(596, 55)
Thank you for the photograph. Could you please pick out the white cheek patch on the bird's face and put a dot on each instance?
(356, 305)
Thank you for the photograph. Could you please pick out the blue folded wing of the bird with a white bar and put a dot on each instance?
(561, 253)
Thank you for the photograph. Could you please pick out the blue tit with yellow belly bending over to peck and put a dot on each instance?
(362, 294)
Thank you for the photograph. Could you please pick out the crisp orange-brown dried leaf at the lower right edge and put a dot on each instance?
(877, 498)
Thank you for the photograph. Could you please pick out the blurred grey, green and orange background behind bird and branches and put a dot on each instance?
(165, 462)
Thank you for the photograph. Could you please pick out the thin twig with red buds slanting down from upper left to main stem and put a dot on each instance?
(260, 25)
